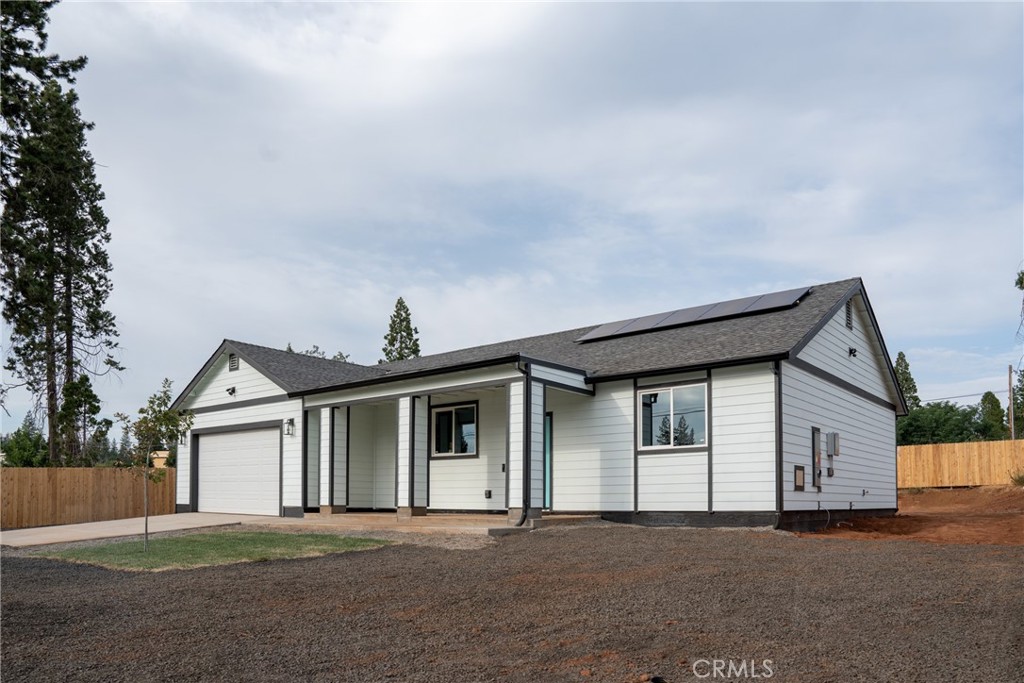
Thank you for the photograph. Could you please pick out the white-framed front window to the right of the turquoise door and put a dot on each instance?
(674, 417)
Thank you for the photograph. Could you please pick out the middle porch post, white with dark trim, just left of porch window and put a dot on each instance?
(412, 457)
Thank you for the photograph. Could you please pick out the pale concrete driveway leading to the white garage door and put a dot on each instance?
(42, 536)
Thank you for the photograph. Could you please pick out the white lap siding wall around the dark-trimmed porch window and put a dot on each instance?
(459, 484)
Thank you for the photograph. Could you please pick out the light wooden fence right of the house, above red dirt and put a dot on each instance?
(971, 464)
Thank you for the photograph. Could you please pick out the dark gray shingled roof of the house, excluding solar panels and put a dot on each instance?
(759, 336)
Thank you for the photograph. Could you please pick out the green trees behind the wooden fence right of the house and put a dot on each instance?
(946, 422)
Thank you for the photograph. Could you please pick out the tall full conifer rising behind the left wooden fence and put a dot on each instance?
(56, 277)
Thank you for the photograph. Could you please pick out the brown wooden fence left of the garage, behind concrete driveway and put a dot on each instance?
(45, 496)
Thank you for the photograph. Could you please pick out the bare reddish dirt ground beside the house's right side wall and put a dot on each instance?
(993, 516)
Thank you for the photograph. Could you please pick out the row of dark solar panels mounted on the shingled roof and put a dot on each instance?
(706, 314)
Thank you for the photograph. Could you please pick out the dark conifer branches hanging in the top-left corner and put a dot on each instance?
(25, 67)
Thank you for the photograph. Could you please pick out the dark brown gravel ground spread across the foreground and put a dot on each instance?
(598, 604)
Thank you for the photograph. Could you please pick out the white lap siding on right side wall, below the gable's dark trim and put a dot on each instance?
(868, 446)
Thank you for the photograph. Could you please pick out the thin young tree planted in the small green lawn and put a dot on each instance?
(157, 424)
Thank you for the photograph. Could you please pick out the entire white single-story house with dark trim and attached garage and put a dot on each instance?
(775, 409)
